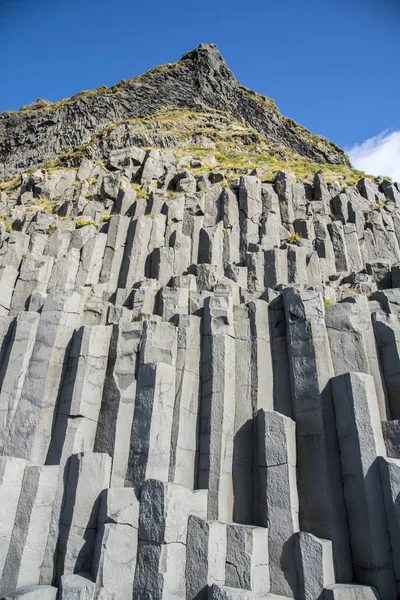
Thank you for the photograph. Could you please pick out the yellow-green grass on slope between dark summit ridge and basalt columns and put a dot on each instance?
(232, 150)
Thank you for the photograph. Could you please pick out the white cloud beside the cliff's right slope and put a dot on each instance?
(380, 155)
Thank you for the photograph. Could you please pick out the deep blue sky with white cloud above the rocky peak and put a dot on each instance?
(332, 65)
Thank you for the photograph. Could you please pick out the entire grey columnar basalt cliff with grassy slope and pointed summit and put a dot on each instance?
(200, 357)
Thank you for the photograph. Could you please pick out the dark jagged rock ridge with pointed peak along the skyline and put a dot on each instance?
(200, 81)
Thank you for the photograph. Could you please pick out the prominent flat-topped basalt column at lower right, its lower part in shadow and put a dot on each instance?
(361, 442)
